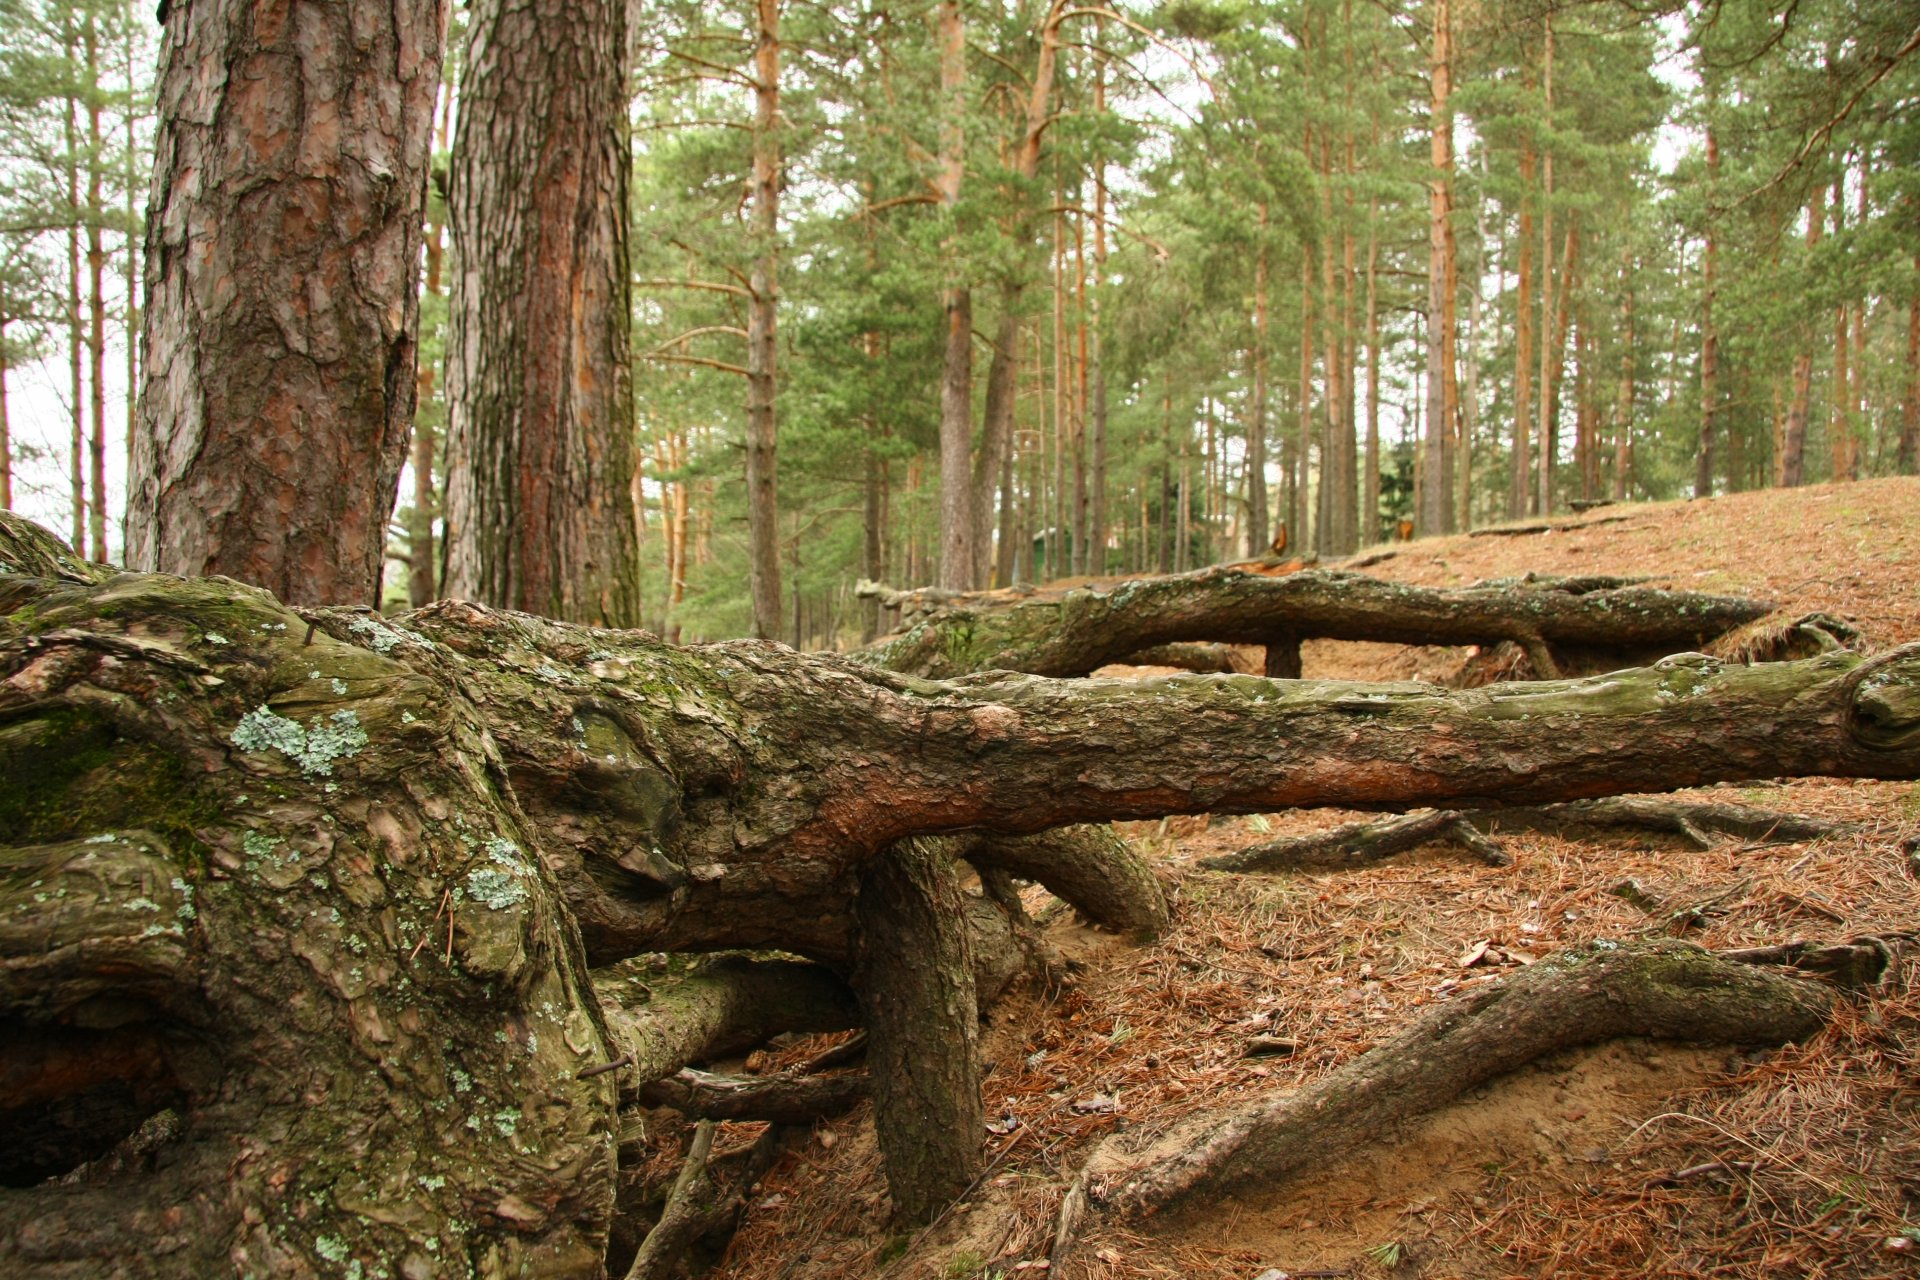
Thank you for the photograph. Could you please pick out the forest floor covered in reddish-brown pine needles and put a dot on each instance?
(1629, 1160)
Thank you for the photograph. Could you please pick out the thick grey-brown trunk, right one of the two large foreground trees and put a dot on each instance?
(540, 400)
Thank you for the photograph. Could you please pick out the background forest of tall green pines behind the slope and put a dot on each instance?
(1216, 272)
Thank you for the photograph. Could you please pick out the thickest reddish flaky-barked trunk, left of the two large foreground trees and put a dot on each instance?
(281, 293)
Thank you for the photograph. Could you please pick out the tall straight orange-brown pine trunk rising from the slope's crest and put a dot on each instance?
(1437, 469)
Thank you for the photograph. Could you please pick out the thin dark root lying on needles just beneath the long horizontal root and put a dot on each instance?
(1364, 843)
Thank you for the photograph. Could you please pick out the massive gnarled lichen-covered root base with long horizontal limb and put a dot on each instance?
(327, 886)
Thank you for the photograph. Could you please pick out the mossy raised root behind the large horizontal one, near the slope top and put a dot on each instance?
(1086, 628)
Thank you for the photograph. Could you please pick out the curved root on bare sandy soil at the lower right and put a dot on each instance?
(1579, 997)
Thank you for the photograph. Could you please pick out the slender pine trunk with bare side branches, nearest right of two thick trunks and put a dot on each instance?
(763, 508)
